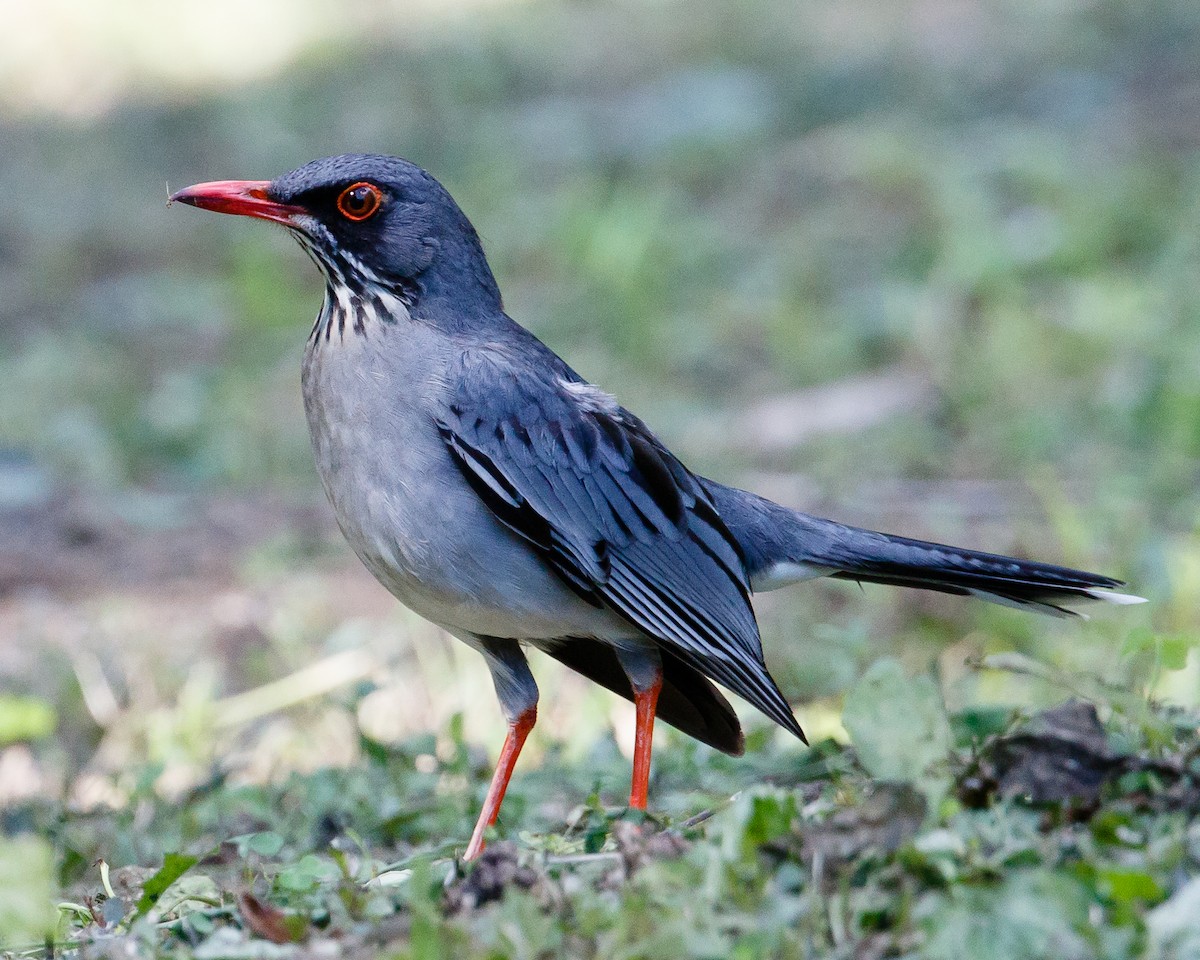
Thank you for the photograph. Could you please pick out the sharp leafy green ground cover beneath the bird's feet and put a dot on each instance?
(979, 843)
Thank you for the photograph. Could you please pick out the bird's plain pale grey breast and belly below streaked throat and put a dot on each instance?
(409, 514)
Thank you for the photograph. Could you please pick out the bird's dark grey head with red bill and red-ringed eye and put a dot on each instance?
(371, 220)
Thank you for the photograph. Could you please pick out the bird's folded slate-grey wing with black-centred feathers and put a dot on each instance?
(614, 513)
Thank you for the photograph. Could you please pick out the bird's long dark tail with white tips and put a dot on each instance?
(784, 547)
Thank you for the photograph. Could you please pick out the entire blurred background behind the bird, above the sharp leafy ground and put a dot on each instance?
(922, 266)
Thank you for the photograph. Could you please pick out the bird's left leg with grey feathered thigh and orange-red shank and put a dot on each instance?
(518, 694)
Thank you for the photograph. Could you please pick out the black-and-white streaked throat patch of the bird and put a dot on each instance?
(358, 302)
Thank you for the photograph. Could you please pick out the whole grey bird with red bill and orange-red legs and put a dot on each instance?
(503, 497)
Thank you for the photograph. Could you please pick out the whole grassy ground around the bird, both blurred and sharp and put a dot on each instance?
(223, 735)
